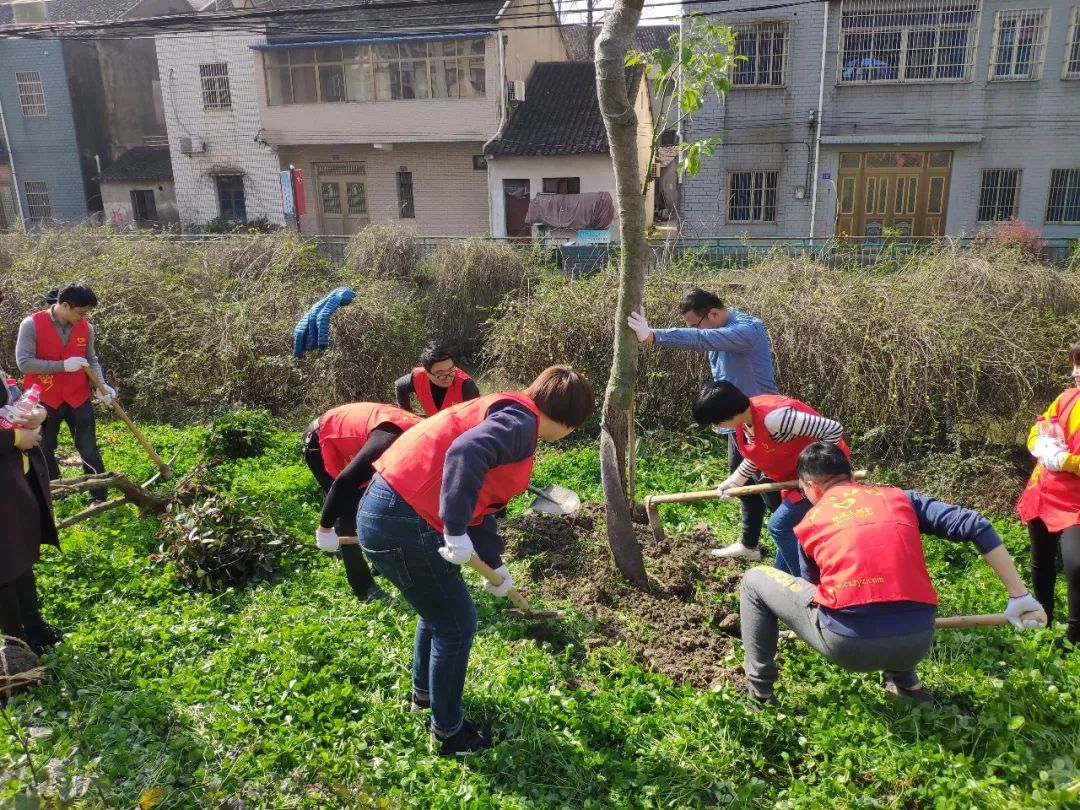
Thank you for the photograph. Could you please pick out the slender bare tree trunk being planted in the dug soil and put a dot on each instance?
(622, 124)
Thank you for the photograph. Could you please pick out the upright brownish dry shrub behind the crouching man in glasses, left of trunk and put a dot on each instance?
(468, 279)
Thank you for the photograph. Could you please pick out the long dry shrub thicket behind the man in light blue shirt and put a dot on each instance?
(948, 350)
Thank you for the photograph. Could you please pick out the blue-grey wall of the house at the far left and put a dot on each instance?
(43, 148)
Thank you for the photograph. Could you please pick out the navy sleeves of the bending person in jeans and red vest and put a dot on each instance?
(507, 436)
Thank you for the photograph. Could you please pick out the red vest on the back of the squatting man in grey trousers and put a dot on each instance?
(867, 544)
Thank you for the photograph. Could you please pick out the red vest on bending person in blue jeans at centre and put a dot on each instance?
(413, 466)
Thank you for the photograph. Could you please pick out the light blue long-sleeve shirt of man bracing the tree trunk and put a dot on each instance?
(739, 352)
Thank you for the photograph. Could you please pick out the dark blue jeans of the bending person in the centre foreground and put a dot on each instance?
(404, 549)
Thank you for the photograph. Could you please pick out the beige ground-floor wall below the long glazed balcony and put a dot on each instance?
(450, 196)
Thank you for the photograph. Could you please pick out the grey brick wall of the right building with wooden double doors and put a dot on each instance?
(1029, 126)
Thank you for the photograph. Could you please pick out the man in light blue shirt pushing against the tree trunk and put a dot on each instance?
(739, 353)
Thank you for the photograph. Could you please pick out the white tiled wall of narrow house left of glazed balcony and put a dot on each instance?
(232, 136)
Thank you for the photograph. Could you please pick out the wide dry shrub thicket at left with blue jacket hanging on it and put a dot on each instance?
(193, 329)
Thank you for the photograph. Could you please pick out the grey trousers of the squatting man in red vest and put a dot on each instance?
(768, 596)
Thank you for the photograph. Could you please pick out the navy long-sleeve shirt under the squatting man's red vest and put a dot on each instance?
(941, 520)
